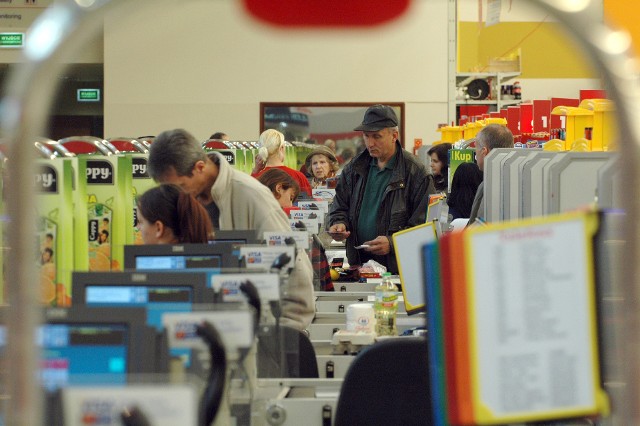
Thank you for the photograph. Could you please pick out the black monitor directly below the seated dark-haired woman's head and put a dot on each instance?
(212, 257)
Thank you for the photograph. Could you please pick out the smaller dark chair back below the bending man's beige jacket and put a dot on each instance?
(285, 352)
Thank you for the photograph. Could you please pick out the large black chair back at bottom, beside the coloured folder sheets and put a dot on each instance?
(387, 384)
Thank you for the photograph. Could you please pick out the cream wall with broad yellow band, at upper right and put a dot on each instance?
(551, 65)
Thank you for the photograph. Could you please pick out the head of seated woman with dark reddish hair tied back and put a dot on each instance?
(169, 215)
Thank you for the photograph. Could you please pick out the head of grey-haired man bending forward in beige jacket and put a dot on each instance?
(175, 156)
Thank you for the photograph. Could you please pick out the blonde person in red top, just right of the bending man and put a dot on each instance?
(271, 155)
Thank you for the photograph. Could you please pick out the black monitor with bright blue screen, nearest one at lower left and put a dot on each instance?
(82, 345)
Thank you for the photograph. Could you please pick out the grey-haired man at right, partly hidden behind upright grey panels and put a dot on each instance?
(490, 137)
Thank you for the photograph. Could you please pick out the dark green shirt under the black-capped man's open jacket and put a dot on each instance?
(377, 182)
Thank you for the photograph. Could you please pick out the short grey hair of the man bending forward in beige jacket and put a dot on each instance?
(174, 149)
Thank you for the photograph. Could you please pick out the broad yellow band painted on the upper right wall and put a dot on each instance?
(546, 51)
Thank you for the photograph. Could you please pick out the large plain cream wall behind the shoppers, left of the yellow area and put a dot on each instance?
(206, 66)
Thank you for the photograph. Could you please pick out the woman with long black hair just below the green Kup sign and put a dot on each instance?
(464, 185)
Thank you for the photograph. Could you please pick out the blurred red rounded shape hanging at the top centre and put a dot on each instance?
(326, 13)
